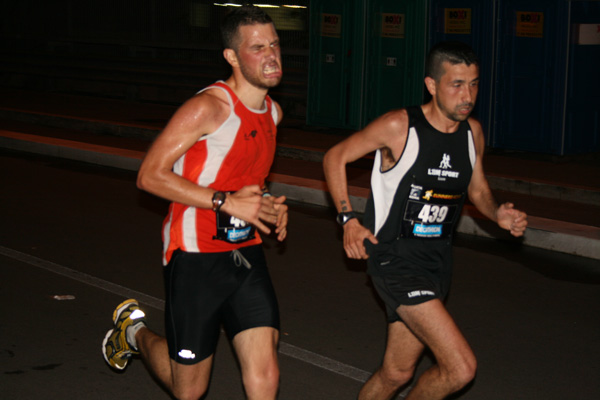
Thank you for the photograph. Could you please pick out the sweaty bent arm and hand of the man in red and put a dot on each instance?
(198, 116)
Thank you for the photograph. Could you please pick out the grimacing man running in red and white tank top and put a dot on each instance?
(211, 162)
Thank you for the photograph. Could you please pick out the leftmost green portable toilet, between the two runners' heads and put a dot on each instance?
(335, 77)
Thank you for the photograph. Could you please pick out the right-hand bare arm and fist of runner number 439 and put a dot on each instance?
(480, 194)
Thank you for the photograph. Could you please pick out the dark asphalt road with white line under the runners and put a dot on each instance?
(68, 228)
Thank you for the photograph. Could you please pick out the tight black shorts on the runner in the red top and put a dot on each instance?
(205, 290)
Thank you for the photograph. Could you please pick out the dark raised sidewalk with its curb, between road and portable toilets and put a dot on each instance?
(563, 205)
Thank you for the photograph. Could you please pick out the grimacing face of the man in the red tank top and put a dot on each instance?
(259, 55)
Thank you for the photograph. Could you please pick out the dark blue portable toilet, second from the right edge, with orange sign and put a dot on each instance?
(530, 82)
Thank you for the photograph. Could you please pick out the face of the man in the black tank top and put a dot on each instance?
(456, 91)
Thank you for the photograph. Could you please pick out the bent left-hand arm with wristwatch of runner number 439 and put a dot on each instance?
(388, 131)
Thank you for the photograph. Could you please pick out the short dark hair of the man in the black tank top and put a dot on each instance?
(452, 52)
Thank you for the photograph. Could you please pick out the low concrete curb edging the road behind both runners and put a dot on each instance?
(542, 233)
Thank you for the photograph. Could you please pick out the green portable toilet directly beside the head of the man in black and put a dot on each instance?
(395, 55)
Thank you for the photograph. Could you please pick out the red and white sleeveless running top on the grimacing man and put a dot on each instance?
(239, 153)
